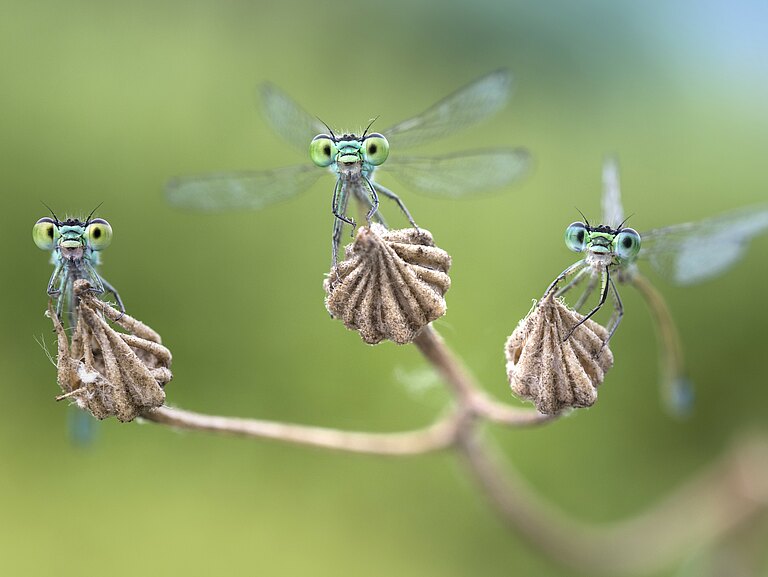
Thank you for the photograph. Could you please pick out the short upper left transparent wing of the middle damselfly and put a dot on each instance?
(288, 119)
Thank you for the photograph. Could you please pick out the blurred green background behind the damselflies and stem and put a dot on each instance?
(102, 102)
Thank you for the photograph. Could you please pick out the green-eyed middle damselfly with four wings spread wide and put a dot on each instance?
(353, 158)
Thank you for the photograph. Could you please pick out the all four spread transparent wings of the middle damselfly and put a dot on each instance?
(454, 175)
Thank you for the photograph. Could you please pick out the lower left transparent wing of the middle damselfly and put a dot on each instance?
(240, 190)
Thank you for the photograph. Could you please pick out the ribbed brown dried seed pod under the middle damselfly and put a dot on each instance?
(390, 284)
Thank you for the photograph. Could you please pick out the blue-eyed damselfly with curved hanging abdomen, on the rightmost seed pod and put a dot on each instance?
(684, 253)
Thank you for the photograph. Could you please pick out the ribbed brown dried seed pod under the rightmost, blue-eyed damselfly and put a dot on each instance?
(553, 373)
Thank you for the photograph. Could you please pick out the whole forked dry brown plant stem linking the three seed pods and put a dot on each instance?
(732, 492)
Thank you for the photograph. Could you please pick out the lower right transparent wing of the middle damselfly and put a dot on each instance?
(461, 174)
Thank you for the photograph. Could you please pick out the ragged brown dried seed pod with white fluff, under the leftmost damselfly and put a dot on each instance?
(110, 373)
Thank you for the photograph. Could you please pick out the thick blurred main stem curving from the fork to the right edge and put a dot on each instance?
(730, 493)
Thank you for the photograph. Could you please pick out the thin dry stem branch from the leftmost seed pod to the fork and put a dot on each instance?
(433, 438)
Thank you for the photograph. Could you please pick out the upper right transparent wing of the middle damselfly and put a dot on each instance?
(464, 107)
